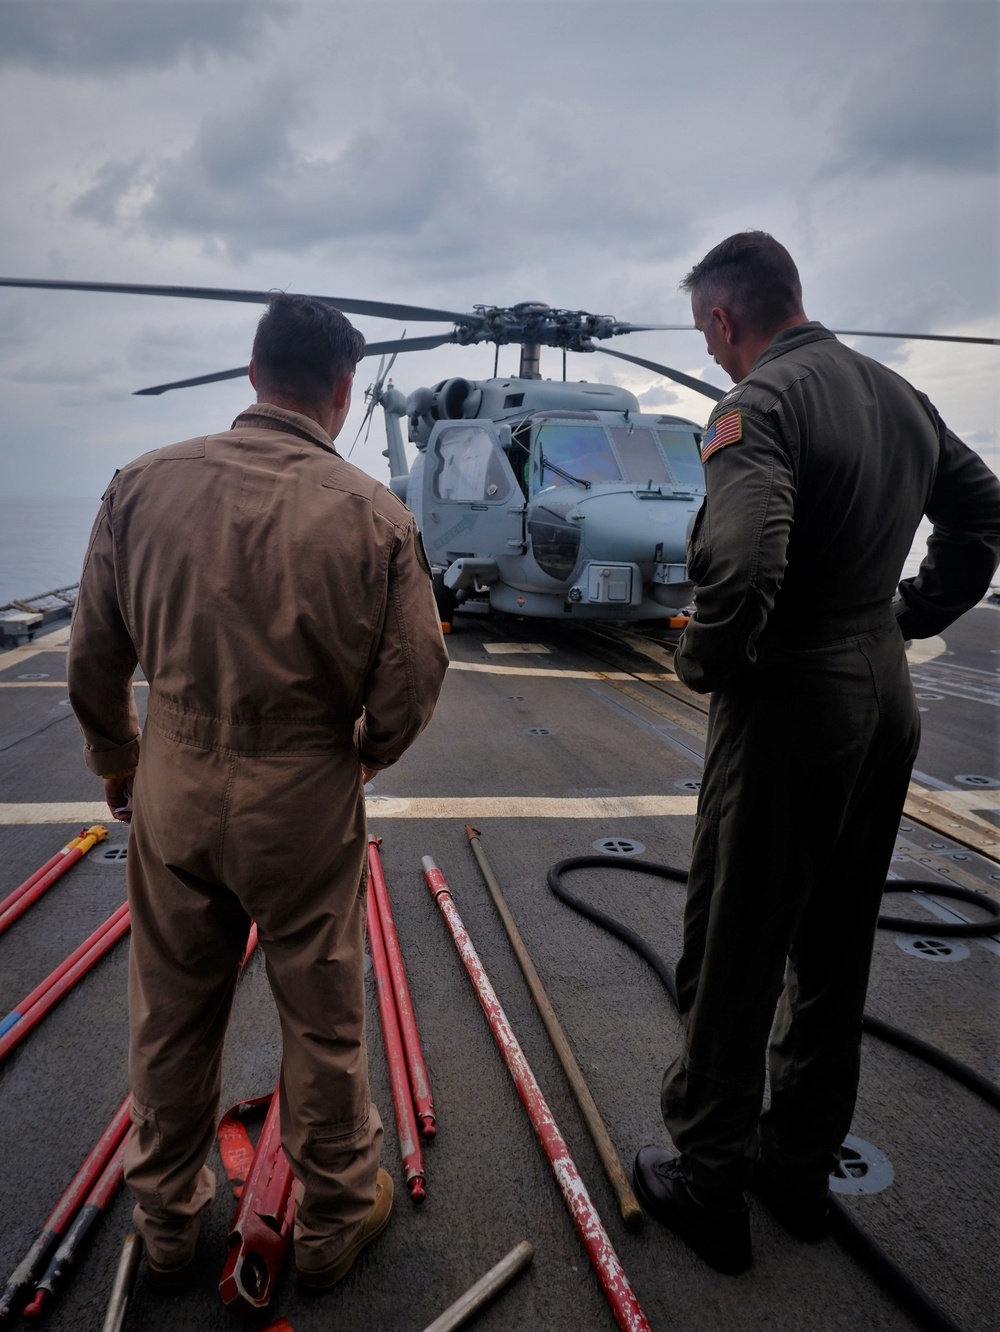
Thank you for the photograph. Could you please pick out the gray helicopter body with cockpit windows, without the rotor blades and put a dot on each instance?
(549, 499)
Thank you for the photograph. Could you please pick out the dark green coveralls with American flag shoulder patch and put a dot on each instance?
(810, 513)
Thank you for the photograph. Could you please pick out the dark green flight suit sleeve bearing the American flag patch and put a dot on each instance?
(738, 548)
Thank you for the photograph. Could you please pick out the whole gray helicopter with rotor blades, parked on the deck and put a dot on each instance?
(536, 498)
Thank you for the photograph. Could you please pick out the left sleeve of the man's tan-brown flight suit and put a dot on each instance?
(102, 660)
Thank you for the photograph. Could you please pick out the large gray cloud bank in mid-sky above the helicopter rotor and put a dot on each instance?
(425, 180)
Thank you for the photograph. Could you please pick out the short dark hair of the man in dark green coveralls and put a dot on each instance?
(753, 275)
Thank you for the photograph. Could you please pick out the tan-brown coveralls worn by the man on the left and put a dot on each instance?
(280, 607)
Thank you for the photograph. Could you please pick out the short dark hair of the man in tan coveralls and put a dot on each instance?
(304, 347)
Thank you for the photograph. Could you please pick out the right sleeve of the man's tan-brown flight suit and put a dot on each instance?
(409, 667)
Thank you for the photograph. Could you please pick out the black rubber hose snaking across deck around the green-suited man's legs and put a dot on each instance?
(844, 1225)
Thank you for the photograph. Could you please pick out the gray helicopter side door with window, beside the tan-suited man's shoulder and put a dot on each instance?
(473, 507)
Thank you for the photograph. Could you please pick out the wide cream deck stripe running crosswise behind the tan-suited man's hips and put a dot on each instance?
(423, 808)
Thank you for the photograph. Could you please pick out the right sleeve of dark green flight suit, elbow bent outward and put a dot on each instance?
(965, 547)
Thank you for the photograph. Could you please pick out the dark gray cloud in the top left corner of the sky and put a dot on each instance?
(102, 37)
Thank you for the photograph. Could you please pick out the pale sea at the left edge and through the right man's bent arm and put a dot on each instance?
(43, 543)
